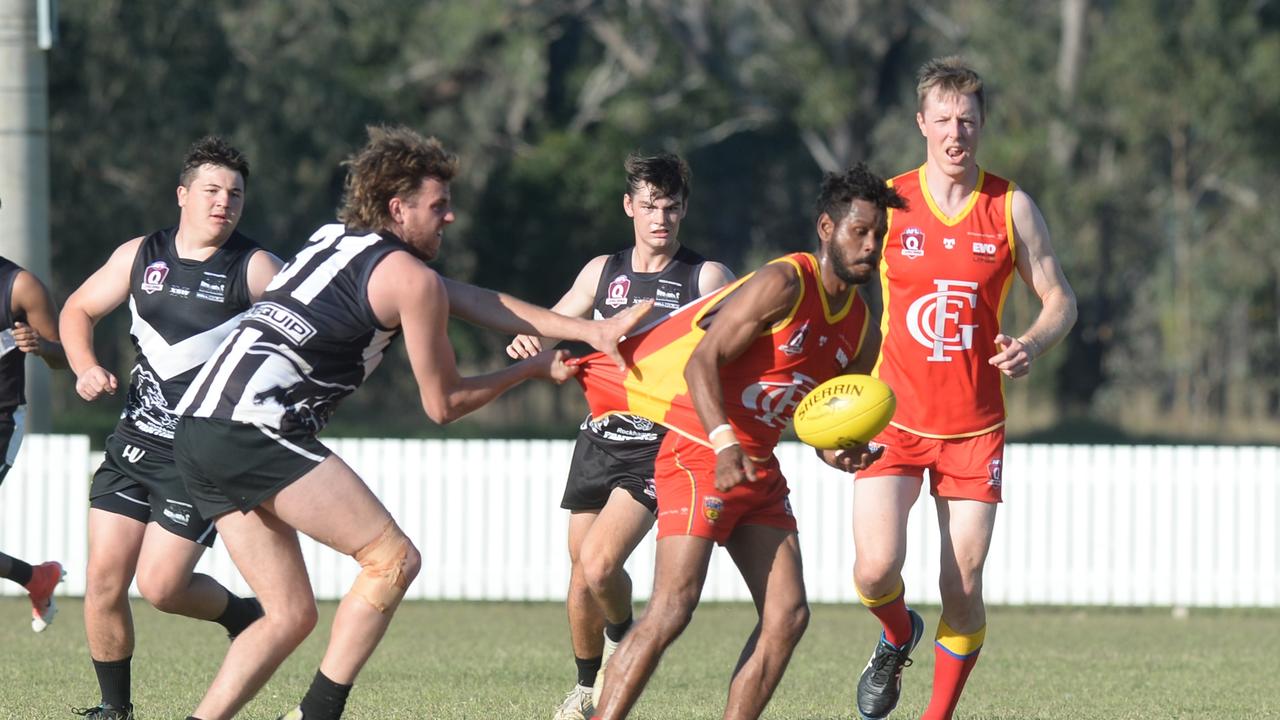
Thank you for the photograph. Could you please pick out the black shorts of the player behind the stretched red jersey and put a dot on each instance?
(596, 472)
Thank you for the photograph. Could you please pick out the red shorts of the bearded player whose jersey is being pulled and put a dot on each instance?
(691, 505)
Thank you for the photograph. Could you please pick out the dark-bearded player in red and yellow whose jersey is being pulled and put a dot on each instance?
(725, 376)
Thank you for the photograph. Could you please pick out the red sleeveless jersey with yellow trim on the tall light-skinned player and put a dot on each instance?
(945, 281)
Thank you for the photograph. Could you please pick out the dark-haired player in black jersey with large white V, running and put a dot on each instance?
(186, 288)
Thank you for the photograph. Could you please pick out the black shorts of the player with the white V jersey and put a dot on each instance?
(135, 484)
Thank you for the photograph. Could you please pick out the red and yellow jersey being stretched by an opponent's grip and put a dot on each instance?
(762, 388)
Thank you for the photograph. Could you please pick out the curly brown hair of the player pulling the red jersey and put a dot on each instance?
(394, 165)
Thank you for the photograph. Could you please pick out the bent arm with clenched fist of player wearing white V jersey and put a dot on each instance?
(104, 291)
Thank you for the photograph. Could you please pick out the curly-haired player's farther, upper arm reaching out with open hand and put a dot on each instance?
(505, 313)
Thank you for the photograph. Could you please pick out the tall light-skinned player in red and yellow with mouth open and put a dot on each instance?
(950, 261)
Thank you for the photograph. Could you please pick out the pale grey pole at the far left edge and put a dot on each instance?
(25, 161)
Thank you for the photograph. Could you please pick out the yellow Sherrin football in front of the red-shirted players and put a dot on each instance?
(844, 412)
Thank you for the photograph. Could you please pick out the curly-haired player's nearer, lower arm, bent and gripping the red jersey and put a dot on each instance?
(405, 293)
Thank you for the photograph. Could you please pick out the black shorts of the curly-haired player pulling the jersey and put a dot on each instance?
(231, 466)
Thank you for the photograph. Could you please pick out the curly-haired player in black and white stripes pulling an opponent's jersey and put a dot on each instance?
(246, 443)
